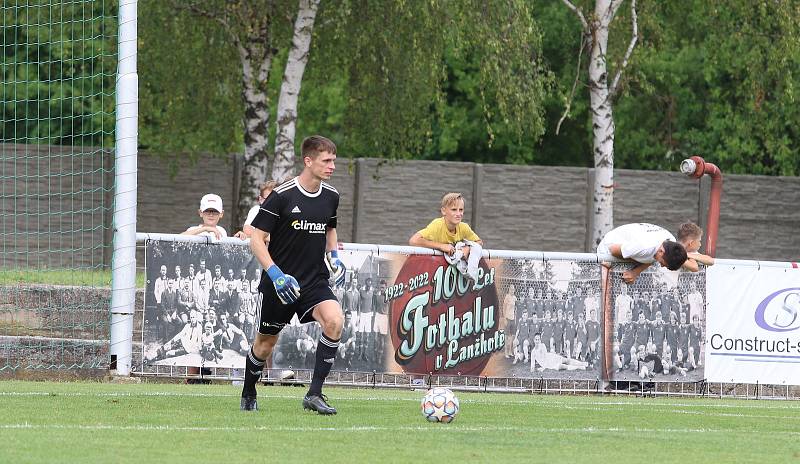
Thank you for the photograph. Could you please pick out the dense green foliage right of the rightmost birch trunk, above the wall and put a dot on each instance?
(716, 78)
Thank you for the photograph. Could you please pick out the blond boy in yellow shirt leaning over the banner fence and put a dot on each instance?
(442, 233)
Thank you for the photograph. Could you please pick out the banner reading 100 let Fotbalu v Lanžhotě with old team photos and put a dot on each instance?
(402, 313)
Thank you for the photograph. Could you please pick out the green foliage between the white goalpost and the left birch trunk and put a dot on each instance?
(189, 84)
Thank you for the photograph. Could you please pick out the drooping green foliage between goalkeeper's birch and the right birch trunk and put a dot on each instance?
(439, 79)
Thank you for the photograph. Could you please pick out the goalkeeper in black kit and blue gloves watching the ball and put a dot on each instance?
(299, 219)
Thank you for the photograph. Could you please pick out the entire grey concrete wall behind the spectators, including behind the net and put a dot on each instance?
(45, 220)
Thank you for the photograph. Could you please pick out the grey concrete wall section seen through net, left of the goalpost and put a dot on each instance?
(53, 209)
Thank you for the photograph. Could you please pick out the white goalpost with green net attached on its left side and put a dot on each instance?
(123, 277)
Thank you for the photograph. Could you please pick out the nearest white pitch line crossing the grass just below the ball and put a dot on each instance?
(450, 428)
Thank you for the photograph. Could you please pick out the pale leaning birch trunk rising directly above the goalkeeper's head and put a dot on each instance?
(284, 163)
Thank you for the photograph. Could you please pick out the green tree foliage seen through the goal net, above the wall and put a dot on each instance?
(57, 71)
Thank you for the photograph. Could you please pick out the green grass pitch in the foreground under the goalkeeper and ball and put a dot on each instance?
(174, 423)
